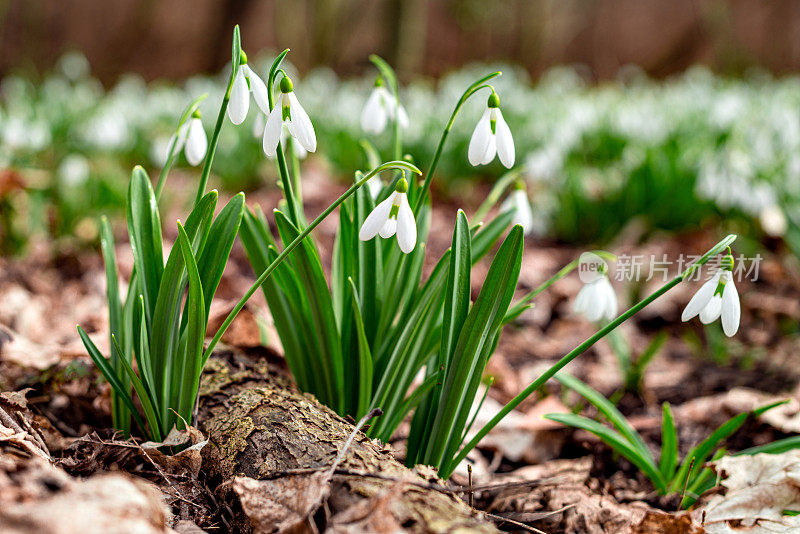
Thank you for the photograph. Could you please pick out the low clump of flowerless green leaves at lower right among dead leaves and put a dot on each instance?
(689, 477)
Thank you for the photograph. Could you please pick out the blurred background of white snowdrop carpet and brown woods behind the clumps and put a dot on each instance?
(671, 115)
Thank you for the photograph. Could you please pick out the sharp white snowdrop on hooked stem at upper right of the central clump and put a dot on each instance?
(491, 136)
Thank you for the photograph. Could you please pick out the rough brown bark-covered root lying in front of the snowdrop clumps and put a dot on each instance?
(267, 437)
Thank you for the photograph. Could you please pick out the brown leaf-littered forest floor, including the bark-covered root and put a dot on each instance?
(264, 456)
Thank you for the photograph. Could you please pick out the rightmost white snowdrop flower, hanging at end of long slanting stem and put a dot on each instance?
(717, 297)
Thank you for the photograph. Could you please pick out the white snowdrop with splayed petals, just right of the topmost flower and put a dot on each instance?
(288, 111)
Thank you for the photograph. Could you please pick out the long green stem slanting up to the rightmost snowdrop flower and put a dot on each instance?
(448, 469)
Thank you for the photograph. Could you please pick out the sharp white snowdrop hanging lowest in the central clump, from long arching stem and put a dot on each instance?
(390, 217)
